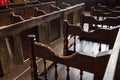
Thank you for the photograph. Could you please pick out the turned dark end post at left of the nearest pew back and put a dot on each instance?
(34, 74)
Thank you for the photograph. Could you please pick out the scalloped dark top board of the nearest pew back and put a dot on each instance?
(84, 62)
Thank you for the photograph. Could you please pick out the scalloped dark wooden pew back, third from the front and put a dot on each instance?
(90, 20)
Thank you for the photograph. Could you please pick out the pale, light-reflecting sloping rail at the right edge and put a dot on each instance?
(113, 62)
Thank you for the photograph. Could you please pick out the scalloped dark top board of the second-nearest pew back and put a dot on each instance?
(97, 35)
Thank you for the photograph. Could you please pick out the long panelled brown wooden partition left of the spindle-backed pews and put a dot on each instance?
(15, 34)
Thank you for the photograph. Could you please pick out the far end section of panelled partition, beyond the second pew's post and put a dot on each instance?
(73, 13)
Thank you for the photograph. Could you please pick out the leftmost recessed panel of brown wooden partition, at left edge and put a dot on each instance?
(8, 56)
